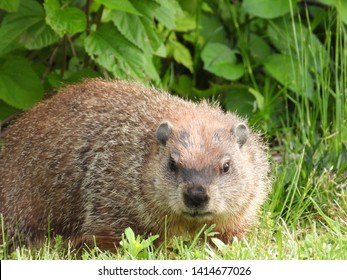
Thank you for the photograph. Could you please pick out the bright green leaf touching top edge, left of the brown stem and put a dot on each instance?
(64, 20)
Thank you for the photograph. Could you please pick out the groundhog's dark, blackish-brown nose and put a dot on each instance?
(195, 196)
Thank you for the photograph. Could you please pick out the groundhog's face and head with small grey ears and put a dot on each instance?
(206, 169)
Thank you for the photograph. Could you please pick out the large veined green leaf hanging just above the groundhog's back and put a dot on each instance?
(108, 47)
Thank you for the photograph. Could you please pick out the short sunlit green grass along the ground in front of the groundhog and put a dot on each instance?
(272, 239)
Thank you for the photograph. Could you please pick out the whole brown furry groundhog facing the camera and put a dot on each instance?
(101, 156)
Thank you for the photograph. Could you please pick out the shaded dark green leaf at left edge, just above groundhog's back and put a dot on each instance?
(20, 87)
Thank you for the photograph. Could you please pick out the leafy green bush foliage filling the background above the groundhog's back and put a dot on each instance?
(191, 48)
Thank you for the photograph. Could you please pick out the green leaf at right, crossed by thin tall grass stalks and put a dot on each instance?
(289, 73)
